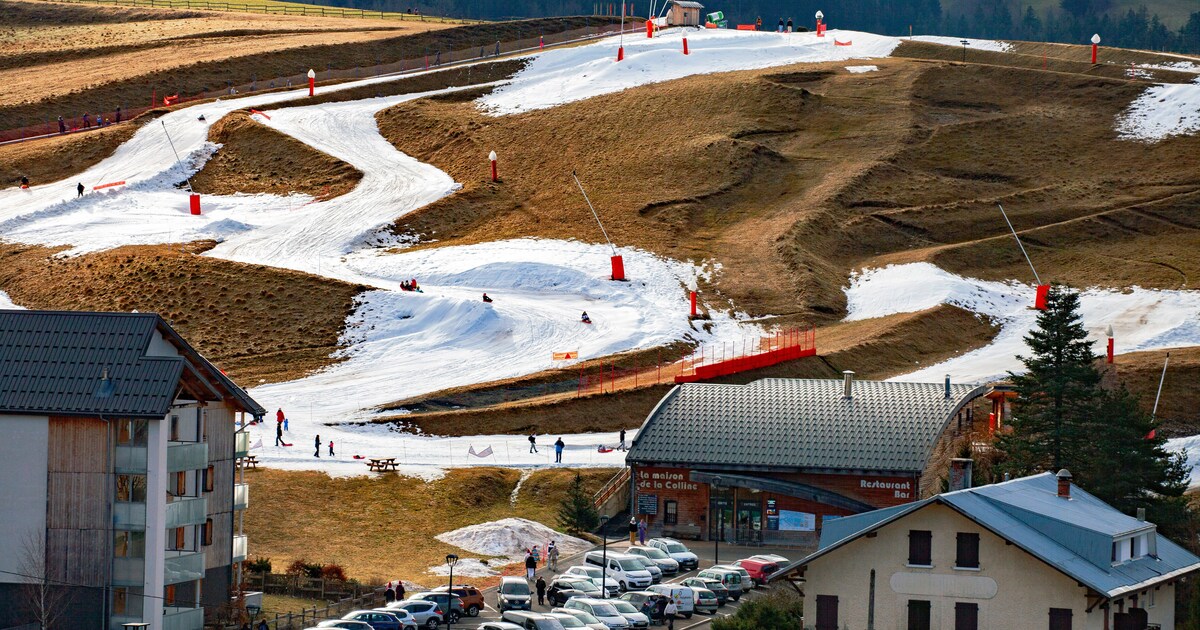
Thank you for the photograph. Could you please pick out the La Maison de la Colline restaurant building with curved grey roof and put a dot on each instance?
(769, 463)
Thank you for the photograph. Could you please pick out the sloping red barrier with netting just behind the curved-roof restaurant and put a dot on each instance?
(727, 359)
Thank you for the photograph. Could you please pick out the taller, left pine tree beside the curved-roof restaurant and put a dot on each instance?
(1057, 394)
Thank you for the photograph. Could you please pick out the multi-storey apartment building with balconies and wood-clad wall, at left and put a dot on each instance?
(119, 448)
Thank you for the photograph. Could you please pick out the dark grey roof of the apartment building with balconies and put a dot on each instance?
(53, 364)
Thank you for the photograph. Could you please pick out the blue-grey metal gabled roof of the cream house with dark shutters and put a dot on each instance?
(1029, 514)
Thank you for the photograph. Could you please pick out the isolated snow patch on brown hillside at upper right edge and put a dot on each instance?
(1161, 112)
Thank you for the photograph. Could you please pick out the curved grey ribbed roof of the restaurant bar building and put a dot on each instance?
(800, 424)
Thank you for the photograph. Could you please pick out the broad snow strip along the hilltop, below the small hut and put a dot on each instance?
(569, 75)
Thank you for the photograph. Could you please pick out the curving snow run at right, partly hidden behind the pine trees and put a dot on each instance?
(1142, 320)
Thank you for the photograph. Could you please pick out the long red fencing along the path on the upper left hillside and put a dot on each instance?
(413, 62)
